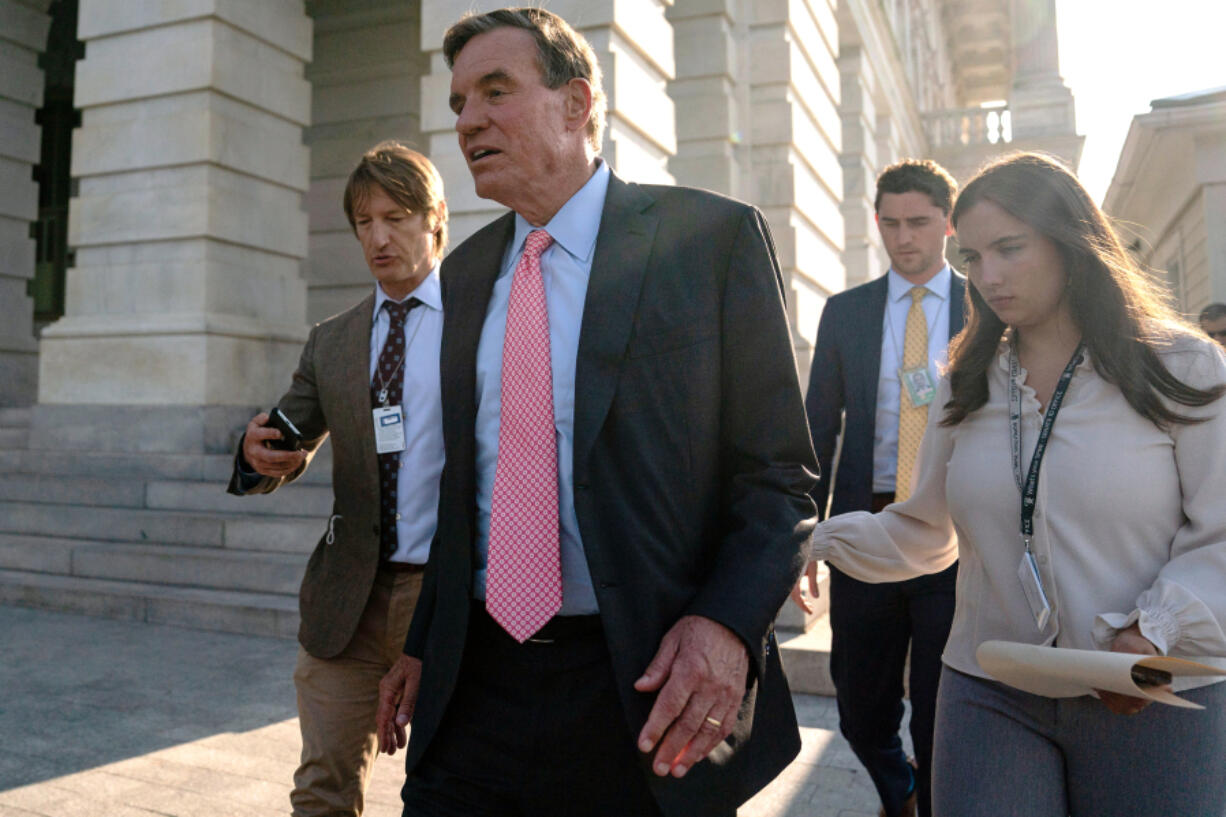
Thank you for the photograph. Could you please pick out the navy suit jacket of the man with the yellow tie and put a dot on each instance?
(847, 365)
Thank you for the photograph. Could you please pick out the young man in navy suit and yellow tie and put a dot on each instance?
(859, 388)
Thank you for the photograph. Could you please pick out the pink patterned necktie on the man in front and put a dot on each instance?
(524, 571)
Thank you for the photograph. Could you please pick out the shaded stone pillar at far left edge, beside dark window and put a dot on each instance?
(24, 26)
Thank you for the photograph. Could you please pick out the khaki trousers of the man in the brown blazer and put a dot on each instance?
(338, 700)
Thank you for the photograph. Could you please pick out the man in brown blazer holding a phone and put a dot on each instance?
(370, 377)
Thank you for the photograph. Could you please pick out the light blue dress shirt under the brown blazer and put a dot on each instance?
(421, 463)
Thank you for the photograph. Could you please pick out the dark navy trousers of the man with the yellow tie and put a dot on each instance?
(874, 625)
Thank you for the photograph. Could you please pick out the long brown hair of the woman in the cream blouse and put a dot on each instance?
(1122, 313)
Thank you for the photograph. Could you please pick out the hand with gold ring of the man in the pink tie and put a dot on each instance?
(702, 668)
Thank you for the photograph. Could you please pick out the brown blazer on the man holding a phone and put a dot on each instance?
(329, 394)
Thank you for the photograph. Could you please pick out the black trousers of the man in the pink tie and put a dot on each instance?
(534, 731)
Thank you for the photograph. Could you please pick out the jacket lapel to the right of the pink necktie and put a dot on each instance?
(623, 250)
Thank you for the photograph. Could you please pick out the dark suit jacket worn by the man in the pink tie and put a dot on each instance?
(692, 462)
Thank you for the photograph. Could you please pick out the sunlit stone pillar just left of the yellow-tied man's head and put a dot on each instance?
(796, 139)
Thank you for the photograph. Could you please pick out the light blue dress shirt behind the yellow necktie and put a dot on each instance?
(898, 304)
